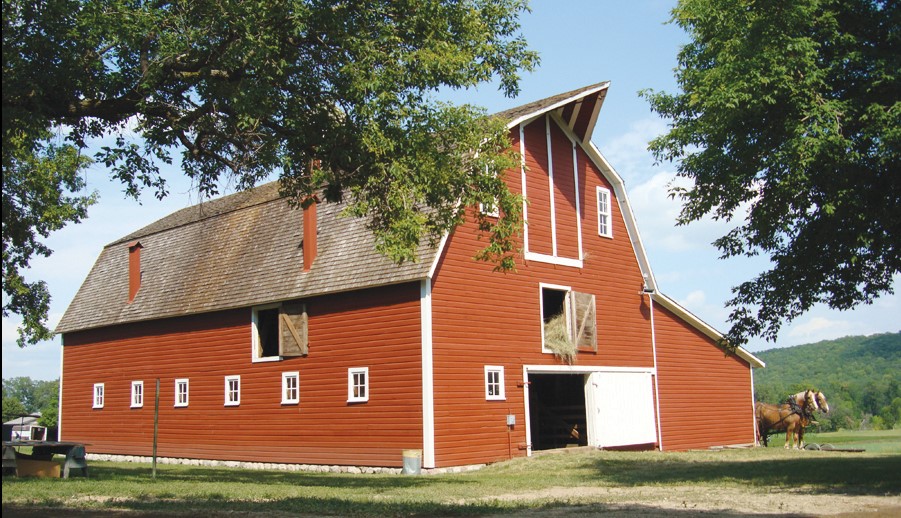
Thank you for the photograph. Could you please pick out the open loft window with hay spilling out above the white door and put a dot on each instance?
(569, 321)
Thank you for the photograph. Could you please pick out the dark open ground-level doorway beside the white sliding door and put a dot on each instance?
(557, 411)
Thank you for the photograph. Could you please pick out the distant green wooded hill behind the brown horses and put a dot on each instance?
(860, 376)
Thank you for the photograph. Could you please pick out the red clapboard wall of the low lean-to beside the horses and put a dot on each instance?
(705, 395)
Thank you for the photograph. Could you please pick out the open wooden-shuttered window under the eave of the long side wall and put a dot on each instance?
(279, 330)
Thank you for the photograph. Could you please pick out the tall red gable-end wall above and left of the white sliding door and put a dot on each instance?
(484, 318)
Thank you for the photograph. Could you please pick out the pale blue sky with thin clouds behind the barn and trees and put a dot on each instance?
(580, 43)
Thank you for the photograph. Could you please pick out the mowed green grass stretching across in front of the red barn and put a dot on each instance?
(505, 487)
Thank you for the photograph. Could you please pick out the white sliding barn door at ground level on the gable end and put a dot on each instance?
(620, 409)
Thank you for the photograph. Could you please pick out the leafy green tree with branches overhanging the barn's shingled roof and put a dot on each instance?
(336, 98)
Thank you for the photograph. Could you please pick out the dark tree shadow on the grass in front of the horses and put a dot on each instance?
(878, 476)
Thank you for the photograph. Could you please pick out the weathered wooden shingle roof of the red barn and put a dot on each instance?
(245, 249)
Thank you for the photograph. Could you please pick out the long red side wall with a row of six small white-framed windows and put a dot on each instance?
(376, 328)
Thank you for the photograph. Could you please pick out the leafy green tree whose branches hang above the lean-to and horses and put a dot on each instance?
(789, 121)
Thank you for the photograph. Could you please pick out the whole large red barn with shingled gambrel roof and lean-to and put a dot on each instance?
(280, 335)
